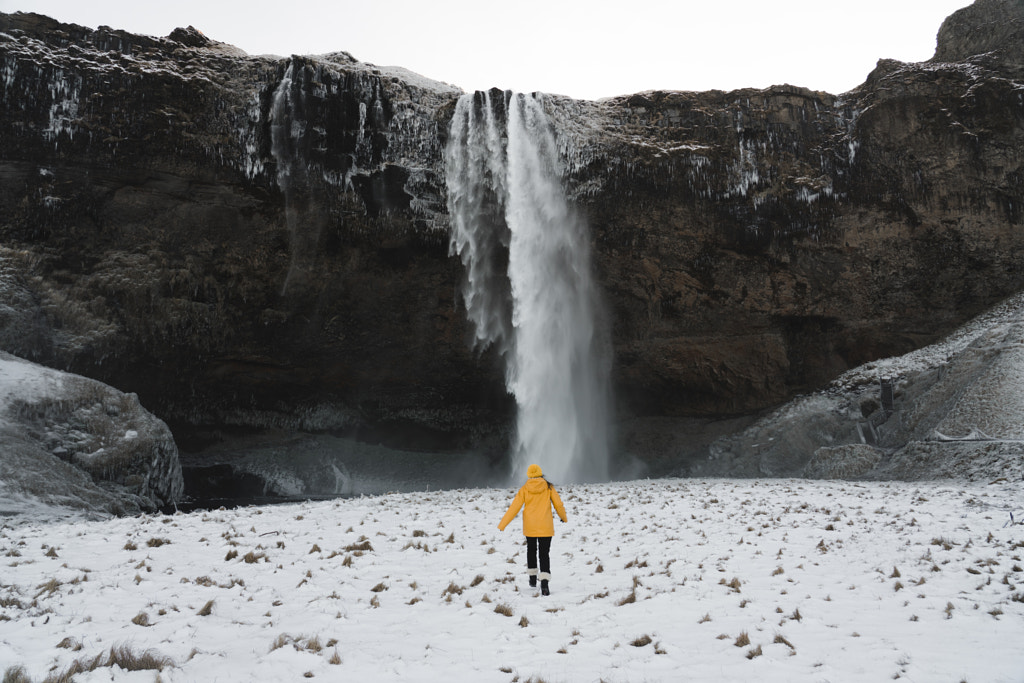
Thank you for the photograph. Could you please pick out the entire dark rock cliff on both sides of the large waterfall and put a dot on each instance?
(263, 242)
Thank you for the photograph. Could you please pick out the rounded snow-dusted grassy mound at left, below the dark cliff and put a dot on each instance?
(71, 442)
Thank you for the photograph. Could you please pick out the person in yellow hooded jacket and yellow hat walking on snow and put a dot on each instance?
(536, 498)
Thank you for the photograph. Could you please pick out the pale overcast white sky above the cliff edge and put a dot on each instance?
(583, 49)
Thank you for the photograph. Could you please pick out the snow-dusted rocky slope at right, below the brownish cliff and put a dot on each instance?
(953, 410)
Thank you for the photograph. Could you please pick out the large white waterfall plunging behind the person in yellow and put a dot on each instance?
(530, 289)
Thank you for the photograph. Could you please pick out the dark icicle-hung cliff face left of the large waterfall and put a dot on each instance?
(241, 241)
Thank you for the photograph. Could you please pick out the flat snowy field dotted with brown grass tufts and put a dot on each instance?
(653, 581)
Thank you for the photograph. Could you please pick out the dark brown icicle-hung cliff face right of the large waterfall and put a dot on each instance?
(758, 243)
